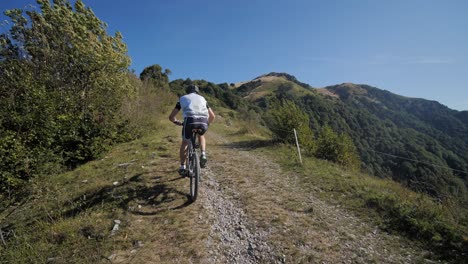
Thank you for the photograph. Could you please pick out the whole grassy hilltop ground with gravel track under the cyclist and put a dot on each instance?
(132, 207)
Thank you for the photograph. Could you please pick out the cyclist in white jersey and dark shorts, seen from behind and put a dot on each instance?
(197, 114)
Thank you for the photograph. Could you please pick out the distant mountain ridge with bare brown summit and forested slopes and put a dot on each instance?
(412, 140)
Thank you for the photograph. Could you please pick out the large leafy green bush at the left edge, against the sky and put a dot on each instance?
(61, 88)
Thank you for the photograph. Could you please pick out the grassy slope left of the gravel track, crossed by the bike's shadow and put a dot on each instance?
(69, 217)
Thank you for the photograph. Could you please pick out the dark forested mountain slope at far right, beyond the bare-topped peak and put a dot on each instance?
(430, 135)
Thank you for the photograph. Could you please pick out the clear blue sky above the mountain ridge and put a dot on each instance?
(415, 48)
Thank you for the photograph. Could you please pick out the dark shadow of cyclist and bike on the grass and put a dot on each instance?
(135, 195)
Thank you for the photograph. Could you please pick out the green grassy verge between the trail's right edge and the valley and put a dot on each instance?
(396, 209)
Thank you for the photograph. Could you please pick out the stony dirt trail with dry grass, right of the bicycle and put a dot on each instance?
(250, 225)
